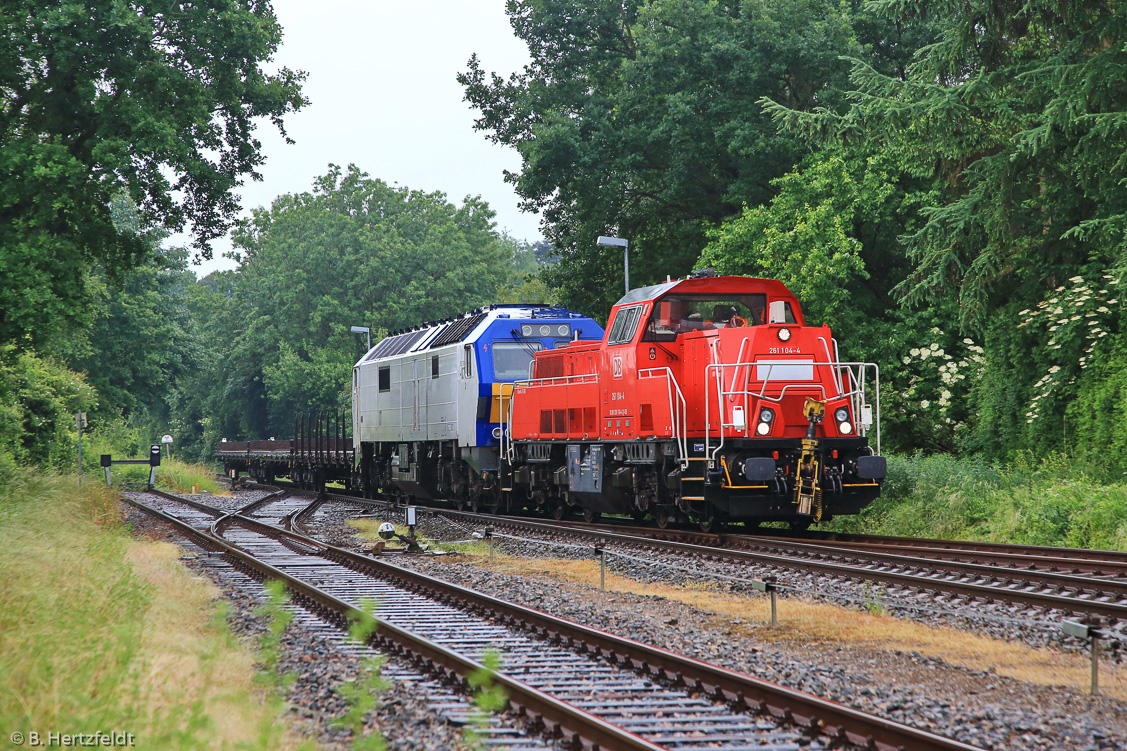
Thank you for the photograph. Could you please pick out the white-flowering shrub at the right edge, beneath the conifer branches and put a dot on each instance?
(1072, 324)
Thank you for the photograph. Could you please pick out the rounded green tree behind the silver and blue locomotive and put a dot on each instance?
(354, 251)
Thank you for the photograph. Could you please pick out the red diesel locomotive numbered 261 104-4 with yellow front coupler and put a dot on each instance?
(708, 399)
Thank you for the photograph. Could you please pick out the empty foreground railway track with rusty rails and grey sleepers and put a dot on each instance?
(592, 688)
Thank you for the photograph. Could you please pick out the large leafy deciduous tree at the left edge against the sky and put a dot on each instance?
(100, 98)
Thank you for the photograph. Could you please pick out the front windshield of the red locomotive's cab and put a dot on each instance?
(680, 314)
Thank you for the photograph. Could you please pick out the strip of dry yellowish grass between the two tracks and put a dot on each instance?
(812, 624)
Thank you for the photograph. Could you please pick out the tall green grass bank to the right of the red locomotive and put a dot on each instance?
(1051, 502)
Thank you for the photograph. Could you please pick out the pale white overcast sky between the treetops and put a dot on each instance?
(384, 96)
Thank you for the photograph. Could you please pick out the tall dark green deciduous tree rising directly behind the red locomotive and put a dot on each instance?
(638, 119)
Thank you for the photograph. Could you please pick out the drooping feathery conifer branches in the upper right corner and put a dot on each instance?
(1017, 114)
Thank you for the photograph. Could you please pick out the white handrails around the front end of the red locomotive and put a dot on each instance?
(856, 395)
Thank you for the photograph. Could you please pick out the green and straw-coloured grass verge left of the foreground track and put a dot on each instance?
(101, 632)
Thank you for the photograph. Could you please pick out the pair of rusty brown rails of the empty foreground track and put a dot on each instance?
(794, 708)
